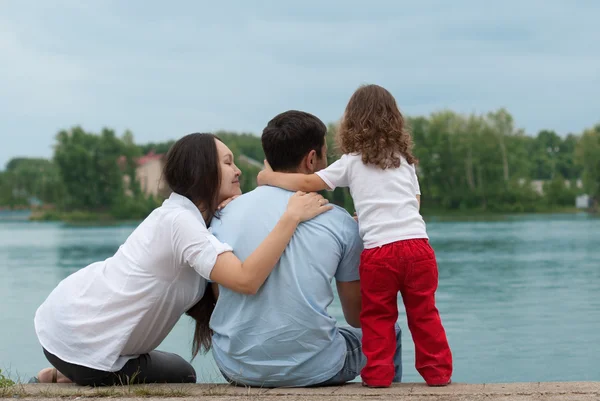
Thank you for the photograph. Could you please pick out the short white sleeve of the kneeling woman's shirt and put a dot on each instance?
(195, 245)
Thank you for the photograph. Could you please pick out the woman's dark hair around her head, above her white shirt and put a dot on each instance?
(192, 170)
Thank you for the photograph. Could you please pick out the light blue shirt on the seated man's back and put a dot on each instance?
(283, 336)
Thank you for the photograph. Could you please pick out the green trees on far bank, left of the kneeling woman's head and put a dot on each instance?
(90, 176)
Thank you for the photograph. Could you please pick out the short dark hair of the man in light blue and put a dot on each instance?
(289, 136)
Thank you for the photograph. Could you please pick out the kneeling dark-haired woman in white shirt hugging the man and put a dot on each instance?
(101, 325)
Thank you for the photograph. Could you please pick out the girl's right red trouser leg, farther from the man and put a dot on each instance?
(433, 358)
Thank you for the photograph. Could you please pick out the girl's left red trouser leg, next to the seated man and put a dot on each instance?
(379, 313)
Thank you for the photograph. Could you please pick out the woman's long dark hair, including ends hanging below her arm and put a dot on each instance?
(192, 170)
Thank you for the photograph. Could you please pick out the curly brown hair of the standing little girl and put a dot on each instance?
(373, 126)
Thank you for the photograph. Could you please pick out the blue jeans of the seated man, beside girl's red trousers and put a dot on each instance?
(355, 359)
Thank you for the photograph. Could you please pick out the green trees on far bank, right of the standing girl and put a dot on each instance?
(482, 162)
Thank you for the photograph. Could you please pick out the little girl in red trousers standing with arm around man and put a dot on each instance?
(378, 167)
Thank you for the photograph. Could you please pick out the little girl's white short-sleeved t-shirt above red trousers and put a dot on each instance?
(385, 200)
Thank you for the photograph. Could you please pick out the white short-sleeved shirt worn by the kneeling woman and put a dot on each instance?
(112, 311)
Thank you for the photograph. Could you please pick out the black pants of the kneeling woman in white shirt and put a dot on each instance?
(154, 367)
